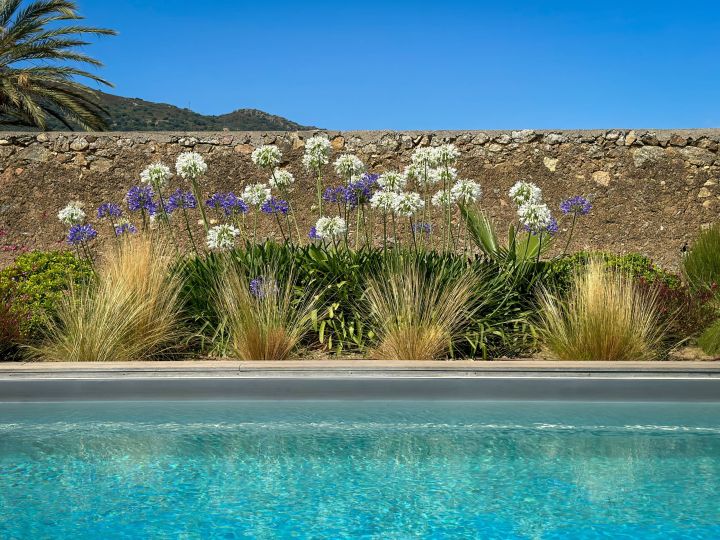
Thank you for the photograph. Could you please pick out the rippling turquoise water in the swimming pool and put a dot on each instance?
(359, 470)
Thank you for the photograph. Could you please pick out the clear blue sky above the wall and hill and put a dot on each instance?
(418, 65)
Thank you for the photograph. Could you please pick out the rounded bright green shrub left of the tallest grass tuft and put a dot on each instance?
(36, 282)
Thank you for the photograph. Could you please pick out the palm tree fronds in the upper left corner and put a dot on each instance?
(40, 66)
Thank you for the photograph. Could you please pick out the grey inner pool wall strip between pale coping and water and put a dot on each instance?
(308, 387)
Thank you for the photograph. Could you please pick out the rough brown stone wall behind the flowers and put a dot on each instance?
(652, 190)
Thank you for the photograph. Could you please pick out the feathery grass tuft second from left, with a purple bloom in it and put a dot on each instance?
(264, 318)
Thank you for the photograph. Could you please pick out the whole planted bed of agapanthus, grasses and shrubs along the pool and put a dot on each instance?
(399, 265)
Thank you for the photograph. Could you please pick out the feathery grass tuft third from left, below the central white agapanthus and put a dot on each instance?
(418, 315)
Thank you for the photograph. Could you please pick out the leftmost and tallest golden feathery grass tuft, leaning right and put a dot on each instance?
(130, 311)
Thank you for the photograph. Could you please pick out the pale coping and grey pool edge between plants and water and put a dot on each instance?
(362, 379)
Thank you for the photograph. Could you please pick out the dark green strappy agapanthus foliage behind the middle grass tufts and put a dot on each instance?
(503, 301)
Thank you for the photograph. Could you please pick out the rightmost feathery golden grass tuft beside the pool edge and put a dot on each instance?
(604, 316)
